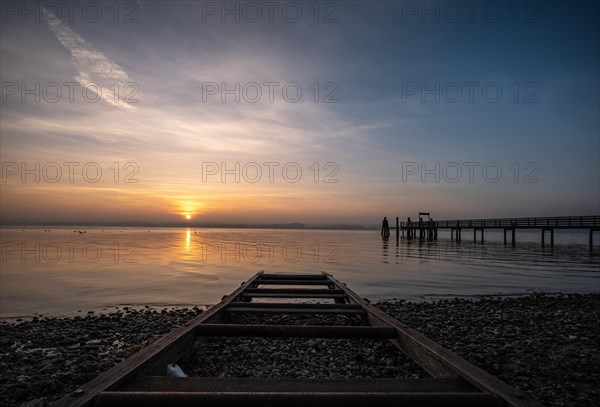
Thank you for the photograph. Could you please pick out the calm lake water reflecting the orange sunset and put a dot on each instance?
(60, 271)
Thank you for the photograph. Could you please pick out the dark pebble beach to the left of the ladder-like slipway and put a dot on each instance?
(43, 359)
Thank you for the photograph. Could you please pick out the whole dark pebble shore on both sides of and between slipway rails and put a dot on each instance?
(543, 344)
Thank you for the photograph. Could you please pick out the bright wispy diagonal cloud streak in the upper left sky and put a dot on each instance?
(96, 71)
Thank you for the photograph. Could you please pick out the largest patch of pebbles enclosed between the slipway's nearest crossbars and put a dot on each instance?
(300, 358)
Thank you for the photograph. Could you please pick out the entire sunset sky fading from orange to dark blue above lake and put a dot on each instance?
(314, 112)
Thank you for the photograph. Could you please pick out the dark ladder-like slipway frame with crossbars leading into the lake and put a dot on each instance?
(141, 380)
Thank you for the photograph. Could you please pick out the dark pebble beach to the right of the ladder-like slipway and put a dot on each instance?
(546, 345)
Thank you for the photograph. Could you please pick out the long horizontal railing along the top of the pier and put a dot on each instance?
(564, 222)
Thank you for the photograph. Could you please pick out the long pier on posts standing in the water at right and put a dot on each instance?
(427, 229)
